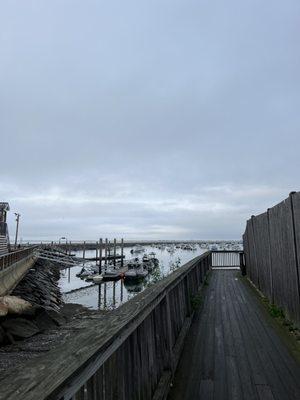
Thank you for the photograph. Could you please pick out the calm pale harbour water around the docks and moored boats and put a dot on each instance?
(110, 295)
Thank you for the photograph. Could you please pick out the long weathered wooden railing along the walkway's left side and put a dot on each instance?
(130, 353)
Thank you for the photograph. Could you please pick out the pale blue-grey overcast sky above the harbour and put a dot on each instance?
(147, 119)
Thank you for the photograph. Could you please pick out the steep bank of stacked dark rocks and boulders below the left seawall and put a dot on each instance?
(33, 306)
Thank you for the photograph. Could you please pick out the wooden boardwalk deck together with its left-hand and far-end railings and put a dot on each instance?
(229, 348)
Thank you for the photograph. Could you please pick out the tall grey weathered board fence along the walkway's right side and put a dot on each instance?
(272, 249)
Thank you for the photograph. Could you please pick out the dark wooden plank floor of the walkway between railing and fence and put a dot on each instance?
(232, 351)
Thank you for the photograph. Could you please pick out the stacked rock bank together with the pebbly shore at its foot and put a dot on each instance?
(37, 320)
